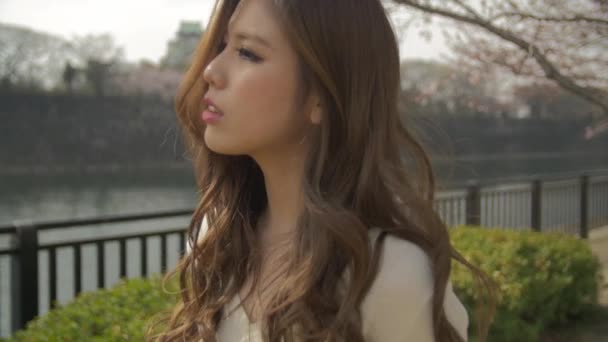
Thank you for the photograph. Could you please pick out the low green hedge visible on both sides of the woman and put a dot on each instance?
(545, 279)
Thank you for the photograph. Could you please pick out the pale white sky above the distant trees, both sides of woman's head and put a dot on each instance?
(142, 27)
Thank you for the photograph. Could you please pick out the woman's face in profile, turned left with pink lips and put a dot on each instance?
(255, 84)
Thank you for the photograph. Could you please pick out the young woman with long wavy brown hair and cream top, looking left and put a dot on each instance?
(316, 200)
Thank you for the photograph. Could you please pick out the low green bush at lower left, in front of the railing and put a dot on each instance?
(117, 314)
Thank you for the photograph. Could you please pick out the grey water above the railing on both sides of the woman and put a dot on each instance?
(37, 197)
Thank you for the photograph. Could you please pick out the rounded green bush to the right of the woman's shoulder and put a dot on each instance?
(544, 278)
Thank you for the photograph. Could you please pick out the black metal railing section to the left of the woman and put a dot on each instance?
(24, 258)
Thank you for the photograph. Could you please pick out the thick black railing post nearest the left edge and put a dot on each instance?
(25, 276)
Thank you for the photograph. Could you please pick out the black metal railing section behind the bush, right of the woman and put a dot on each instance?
(569, 203)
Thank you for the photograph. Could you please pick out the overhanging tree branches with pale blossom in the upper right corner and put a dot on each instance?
(559, 40)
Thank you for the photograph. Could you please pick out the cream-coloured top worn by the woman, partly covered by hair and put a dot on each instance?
(397, 308)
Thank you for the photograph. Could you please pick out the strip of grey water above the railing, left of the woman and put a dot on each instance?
(70, 196)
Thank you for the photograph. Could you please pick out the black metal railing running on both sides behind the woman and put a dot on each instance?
(567, 202)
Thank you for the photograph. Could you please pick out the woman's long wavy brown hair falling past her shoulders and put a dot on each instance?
(364, 169)
